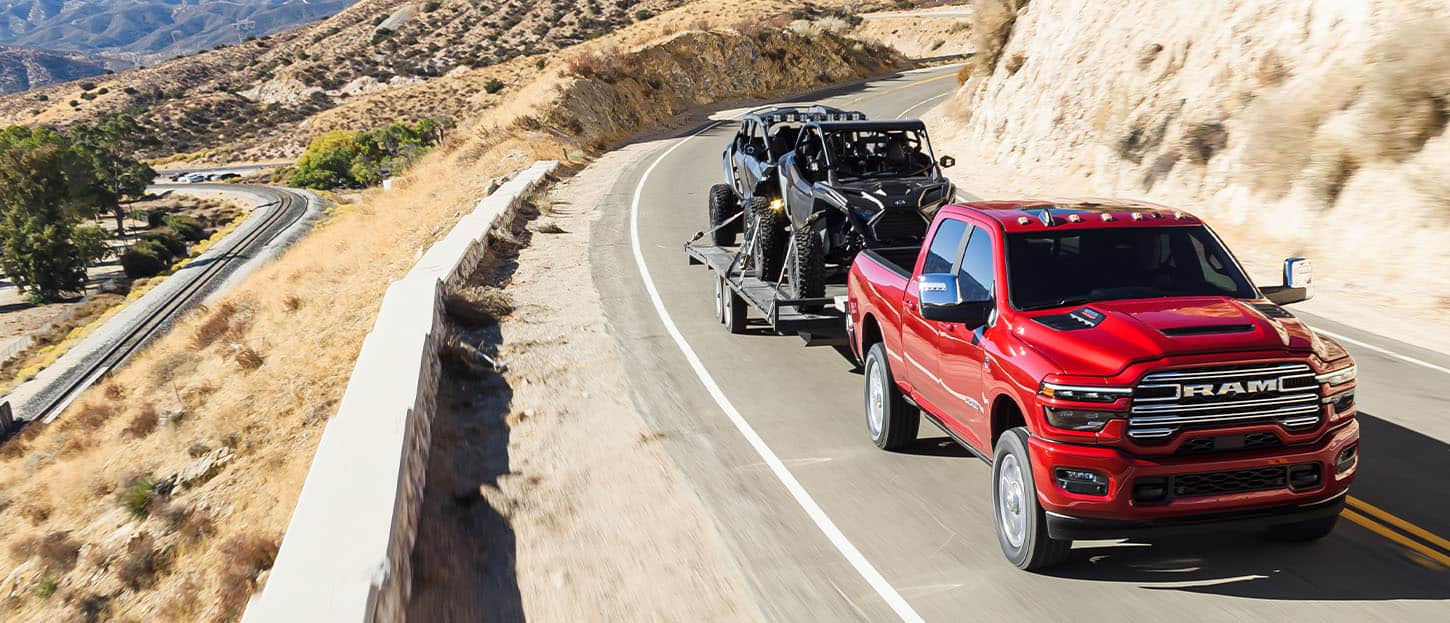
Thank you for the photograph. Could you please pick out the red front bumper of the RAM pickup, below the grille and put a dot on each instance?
(1117, 514)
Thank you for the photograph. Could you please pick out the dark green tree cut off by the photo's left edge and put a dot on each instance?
(46, 188)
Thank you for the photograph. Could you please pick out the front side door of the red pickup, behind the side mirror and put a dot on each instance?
(962, 357)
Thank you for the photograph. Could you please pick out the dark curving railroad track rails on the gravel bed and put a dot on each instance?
(202, 275)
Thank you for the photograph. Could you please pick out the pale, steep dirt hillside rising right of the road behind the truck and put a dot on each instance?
(1296, 128)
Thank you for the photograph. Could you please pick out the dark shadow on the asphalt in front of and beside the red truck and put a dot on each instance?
(1401, 473)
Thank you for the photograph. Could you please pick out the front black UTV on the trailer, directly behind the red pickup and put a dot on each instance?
(856, 185)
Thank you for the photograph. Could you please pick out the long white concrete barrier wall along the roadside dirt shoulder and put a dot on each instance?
(347, 556)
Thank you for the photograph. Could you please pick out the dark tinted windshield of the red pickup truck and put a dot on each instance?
(1064, 269)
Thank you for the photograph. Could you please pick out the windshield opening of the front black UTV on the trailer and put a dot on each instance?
(879, 154)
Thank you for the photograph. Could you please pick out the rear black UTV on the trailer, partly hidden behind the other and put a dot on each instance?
(752, 182)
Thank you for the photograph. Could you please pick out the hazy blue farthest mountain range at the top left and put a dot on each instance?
(152, 28)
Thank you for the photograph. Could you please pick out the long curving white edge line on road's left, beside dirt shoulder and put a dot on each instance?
(814, 511)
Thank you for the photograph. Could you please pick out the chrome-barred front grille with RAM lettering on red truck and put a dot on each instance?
(1164, 404)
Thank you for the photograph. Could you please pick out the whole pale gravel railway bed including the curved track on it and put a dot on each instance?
(279, 218)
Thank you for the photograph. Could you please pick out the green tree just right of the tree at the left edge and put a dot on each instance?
(118, 176)
